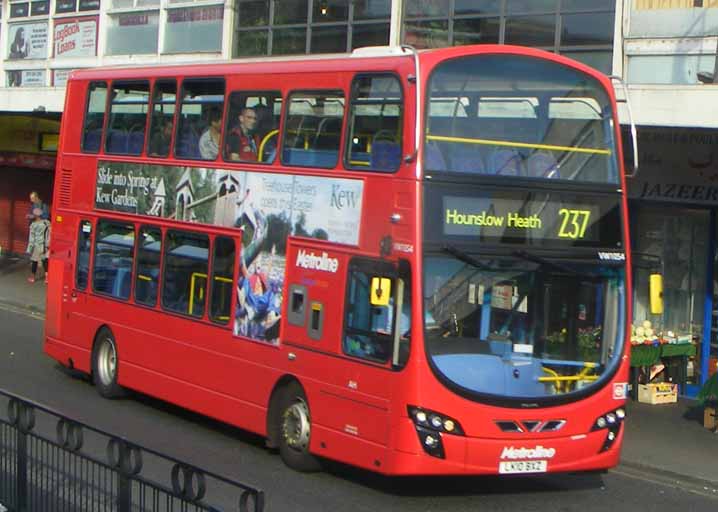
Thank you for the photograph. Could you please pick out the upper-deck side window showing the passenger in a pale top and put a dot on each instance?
(199, 126)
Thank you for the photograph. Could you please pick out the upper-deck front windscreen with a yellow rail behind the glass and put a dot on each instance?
(518, 116)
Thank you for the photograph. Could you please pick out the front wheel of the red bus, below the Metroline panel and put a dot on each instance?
(295, 429)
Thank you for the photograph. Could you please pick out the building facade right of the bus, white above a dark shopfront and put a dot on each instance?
(668, 50)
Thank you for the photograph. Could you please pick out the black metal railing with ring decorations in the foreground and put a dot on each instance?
(51, 463)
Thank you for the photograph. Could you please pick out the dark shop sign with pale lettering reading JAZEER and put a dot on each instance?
(677, 166)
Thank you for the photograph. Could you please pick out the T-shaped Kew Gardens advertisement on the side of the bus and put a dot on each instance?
(267, 207)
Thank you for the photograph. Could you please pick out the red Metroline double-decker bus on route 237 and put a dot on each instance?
(412, 262)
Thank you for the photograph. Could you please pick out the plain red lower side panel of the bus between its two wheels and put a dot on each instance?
(198, 366)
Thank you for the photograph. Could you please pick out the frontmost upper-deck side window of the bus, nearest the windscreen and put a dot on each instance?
(375, 123)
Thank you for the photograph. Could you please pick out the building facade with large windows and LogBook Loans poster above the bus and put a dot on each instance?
(43, 40)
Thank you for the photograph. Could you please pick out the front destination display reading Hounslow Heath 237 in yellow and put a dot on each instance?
(537, 218)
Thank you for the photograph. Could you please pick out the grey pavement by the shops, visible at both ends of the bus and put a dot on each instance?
(665, 443)
